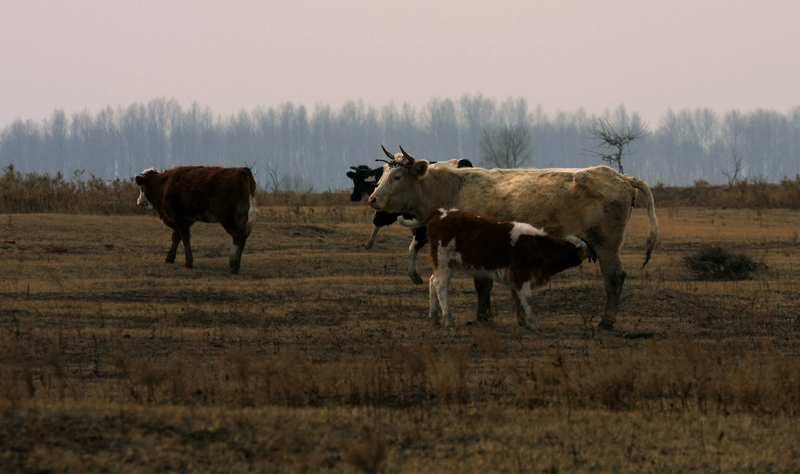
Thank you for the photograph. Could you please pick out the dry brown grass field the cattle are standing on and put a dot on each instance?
(319, 356)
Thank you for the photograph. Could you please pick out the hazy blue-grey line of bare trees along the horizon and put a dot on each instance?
(292, 148)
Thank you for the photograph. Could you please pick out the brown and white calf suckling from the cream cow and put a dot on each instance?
(513, 253)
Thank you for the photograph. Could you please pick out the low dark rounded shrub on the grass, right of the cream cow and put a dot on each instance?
(716, 263)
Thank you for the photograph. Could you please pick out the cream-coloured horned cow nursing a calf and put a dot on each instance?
(593, 204)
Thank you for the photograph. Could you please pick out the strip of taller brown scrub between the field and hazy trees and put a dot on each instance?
(80, 194)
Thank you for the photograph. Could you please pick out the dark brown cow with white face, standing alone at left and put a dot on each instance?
(189, 194)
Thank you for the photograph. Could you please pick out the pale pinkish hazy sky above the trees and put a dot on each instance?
(562, 54)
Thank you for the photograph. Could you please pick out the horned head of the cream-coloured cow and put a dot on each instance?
(399, 189)
